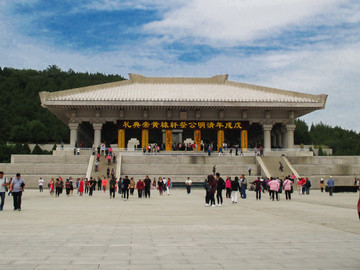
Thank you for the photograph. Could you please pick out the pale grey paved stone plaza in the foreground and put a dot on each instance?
(178, 232)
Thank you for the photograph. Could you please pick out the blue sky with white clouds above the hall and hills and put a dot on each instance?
(295, 45)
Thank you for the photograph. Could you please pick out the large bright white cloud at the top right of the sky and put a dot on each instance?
(231, 23)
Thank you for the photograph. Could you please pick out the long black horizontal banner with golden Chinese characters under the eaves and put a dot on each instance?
(240, 125)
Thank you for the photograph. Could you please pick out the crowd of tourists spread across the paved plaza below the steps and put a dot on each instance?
(214, 186)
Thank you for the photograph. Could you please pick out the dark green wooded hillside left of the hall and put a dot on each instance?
(23, 120)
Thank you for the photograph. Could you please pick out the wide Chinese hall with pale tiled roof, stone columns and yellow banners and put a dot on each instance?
(170, 111)
